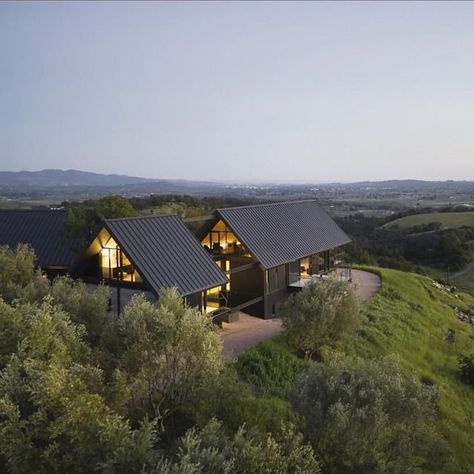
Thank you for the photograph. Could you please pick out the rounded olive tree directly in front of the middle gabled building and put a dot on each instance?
(168, 352)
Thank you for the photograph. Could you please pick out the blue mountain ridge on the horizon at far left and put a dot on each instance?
(55, 177)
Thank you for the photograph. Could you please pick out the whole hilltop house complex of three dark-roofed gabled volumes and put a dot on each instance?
(245, 258)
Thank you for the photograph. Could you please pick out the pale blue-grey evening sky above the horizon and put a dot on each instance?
(244, 91)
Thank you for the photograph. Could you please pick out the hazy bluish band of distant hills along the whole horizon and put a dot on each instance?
(52, 181)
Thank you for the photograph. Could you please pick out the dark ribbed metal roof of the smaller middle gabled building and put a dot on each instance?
(165, 253)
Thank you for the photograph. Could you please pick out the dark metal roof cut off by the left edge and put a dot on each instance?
(44, 230)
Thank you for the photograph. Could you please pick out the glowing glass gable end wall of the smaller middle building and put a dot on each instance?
(115, 265)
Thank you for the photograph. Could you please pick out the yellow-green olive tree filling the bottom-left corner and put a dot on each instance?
(53, 415)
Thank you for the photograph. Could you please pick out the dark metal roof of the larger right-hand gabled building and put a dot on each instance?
(283, 232)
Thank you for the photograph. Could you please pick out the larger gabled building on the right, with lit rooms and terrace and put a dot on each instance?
(265, 249)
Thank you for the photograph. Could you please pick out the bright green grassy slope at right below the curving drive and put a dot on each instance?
(410, 317)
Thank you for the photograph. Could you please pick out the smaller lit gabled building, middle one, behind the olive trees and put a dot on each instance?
(151, 253)
